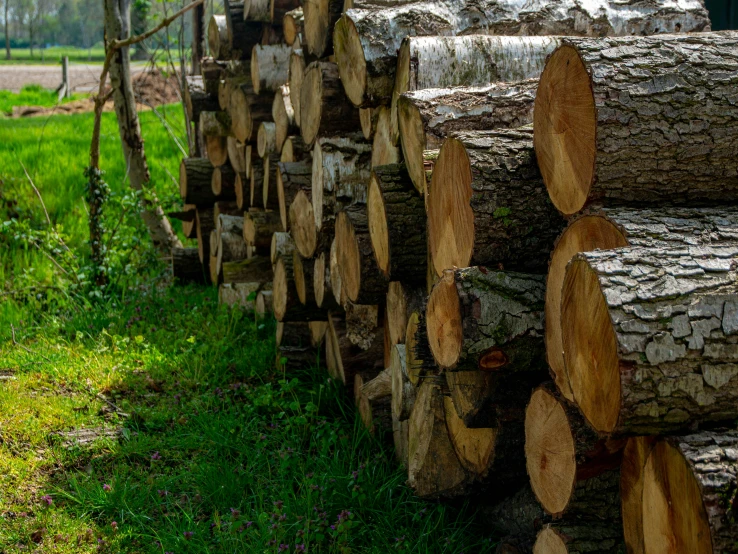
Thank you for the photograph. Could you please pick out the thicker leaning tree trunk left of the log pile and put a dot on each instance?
(117, 27)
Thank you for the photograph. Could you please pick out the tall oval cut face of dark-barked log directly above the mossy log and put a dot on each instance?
(451, 231)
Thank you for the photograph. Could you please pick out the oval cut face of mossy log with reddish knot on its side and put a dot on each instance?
(444, 323)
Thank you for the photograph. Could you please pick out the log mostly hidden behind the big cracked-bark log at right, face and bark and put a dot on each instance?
(606, 228)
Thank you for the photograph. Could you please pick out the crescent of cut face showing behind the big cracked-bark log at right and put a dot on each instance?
(586, 233)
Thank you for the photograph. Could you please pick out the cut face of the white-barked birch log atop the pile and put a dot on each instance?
(350, 59)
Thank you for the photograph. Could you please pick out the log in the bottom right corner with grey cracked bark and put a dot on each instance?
(689, 494)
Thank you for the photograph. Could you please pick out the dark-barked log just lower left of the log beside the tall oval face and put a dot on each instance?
(361, 278)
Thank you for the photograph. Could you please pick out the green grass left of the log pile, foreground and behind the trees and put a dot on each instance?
(149, 419)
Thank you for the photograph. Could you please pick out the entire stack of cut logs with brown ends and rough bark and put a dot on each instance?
(513, 243)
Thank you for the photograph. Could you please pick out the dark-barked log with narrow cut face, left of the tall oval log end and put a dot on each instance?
(394, 207)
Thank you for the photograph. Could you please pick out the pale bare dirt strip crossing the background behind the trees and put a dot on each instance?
(83, 77)
